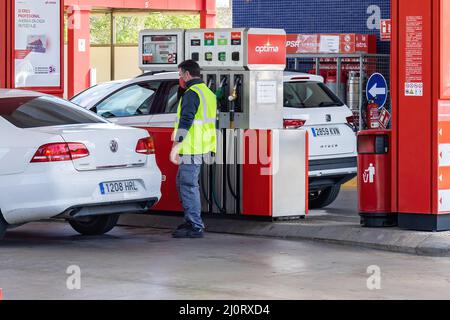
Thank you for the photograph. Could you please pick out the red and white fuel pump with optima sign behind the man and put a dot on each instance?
(260, 168)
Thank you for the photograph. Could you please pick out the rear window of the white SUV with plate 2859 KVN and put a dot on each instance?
(309, 95)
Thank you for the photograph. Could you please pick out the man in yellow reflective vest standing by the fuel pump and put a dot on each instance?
(194, 140)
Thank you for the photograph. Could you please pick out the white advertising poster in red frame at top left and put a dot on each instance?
(37, 38)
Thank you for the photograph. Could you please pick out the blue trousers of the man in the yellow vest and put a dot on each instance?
(189, 193)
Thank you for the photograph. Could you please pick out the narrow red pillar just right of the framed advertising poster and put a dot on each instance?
(78, 50)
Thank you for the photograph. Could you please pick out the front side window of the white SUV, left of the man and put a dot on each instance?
(134, 100)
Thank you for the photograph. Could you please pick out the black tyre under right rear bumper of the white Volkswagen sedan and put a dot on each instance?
(96, 225)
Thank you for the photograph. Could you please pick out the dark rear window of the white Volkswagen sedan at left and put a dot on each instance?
(44, 111)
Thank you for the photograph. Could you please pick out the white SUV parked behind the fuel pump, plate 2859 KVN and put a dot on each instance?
(152, 99)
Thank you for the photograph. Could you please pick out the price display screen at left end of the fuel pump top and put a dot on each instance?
(159, 49)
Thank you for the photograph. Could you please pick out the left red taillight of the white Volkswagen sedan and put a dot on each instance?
(53, 152)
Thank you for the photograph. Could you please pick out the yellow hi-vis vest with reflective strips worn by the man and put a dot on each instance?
(201, 137)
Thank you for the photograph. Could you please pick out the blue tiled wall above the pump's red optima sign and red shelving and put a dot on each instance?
(314, 16)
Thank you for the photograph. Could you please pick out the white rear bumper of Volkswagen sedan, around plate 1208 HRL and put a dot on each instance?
(48, 190)
